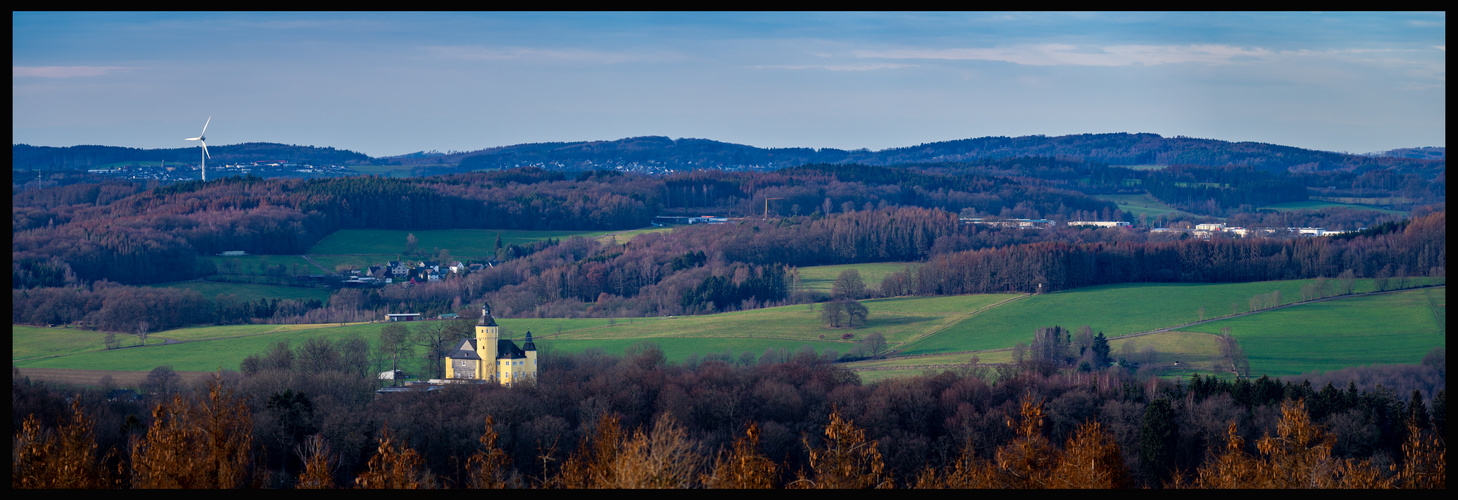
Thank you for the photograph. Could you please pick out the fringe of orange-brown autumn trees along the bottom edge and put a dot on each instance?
(205, 441)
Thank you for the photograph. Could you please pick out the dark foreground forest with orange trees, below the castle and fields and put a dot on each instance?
(307, 418)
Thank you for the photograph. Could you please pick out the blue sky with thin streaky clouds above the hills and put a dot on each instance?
(393, 84)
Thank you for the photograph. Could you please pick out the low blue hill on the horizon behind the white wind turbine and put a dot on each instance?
(46, 158)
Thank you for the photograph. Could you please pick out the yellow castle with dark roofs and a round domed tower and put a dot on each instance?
(492, 358)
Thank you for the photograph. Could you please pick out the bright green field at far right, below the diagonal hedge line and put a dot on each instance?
(1325, 336)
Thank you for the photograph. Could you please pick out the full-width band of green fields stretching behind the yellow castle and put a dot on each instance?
(1348, 332)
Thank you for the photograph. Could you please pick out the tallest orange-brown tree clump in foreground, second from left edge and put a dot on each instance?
(196, 444)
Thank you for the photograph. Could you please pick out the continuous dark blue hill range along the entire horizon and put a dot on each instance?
(657, 155)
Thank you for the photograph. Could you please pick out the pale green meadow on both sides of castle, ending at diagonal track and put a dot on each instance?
(899, 320)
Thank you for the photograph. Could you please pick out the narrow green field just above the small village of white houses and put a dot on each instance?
(461, 243)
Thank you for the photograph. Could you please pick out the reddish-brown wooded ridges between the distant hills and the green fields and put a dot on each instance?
(74, 244)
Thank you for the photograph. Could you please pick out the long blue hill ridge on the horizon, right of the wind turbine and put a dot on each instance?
(1113, 149)
